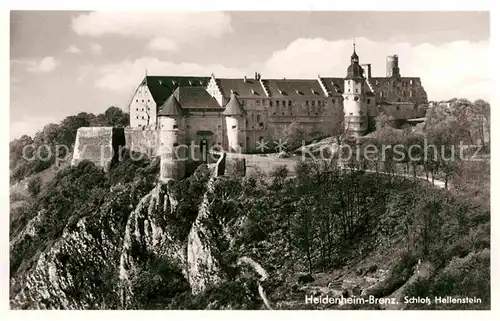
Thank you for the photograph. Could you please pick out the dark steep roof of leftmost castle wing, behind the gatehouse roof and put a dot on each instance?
(161, 87)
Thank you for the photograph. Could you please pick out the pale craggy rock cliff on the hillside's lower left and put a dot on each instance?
(96, 263)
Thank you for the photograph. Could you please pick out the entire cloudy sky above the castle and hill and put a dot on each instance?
(66, 62)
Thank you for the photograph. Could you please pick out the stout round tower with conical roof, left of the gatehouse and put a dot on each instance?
(173, 152)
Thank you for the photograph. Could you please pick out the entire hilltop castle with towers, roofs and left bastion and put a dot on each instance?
(237, 114)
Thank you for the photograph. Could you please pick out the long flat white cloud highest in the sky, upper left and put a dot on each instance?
(167, 29)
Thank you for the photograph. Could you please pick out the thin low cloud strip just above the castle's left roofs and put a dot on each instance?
(125, 76)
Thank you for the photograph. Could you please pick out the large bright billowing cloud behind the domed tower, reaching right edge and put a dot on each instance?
(455, 69)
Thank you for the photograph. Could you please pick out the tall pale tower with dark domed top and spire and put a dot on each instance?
(354, 101)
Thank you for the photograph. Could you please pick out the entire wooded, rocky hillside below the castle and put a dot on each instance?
(86, 238)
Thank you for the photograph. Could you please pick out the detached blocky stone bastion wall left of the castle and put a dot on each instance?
(93, 144)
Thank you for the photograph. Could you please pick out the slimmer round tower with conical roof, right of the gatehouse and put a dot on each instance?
(235, 123)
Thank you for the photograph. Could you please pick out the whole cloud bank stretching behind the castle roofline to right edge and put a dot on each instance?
(455, 69)
